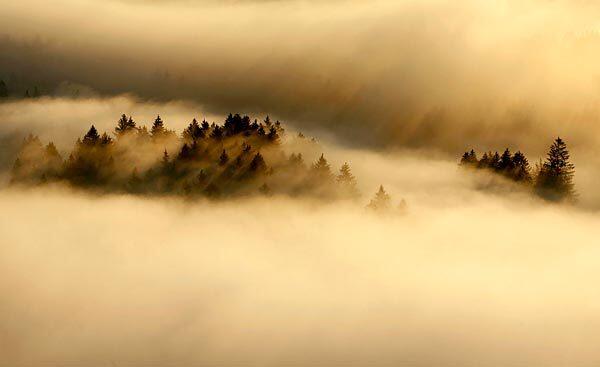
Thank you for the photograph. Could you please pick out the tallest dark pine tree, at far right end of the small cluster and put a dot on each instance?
(555, 178)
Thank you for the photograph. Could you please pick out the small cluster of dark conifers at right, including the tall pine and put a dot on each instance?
(551, 179)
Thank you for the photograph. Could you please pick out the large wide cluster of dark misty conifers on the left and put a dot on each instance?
(238, 157)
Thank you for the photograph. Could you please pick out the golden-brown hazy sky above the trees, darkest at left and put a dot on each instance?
(441, 74)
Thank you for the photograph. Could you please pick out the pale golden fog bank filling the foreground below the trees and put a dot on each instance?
(125, 281)
